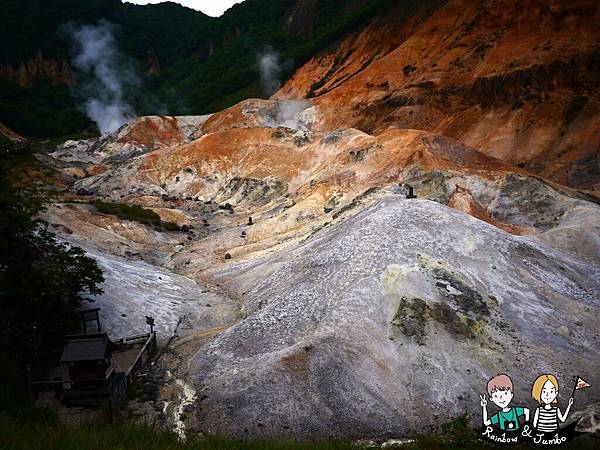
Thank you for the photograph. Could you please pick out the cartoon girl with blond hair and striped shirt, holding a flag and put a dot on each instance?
(547, 415)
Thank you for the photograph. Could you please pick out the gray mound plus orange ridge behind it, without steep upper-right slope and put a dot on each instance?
(348, 296)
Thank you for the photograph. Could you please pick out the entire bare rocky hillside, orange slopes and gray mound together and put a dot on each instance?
(339, 304)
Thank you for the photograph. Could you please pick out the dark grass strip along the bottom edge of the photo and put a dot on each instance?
(29, 428)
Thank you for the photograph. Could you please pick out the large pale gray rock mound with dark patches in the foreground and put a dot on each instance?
(392, 322)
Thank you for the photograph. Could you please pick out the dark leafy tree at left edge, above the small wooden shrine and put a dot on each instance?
(40, 281)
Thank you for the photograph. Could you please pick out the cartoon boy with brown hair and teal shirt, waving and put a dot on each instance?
(500, 390)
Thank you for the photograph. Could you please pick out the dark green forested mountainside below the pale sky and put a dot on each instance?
(206, 63)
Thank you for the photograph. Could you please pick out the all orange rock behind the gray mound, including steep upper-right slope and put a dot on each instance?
(462, 101)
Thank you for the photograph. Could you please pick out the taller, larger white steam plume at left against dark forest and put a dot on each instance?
(97, 56)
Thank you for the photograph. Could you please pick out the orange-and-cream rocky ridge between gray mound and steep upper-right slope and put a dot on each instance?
(295, 179)
